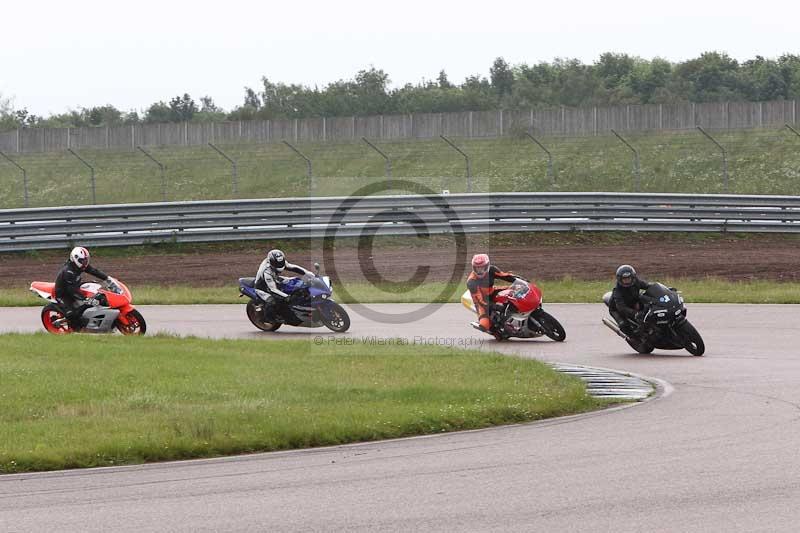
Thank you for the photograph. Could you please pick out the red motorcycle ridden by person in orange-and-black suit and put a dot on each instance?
(517, 312)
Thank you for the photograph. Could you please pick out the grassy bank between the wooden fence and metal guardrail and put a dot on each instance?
(760, 162)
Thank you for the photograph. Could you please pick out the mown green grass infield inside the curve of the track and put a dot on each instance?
(84, 401)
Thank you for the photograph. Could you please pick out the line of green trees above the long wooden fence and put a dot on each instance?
(614, 79)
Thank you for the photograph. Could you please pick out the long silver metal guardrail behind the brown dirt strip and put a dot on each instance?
(230, 220)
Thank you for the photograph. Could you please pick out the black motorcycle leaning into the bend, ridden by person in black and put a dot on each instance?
(664, 324)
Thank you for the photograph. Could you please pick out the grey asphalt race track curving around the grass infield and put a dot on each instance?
(718, 451)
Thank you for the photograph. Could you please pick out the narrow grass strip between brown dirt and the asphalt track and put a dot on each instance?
(706, 290)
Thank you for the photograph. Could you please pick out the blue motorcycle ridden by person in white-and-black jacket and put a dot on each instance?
(309, 304)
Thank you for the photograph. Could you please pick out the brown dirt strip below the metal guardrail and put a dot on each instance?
(536, 256)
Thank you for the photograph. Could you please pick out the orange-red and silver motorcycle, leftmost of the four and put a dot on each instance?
(111, 309)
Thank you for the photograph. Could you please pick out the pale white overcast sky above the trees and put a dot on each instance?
(57, 55)
